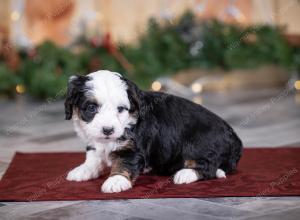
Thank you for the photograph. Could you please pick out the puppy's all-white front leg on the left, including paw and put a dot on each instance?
(90, 169)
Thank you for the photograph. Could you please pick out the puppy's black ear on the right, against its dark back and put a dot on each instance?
(135, 96)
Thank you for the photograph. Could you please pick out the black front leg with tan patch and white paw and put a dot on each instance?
(126, 166)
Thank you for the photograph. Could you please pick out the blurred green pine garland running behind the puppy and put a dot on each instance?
(164, 49)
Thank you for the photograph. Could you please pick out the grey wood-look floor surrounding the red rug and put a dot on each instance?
(261, 118)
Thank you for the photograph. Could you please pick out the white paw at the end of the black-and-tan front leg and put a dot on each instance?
(116, 183)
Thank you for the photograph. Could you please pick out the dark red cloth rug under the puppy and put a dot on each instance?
(41, 177)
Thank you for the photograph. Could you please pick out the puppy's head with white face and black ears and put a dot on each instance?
(103, 104)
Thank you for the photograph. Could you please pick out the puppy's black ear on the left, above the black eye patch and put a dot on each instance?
(76, 87)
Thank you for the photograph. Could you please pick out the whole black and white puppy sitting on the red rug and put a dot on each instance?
(133, 131)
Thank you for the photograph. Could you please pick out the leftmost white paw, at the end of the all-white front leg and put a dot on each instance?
(83, 173)
